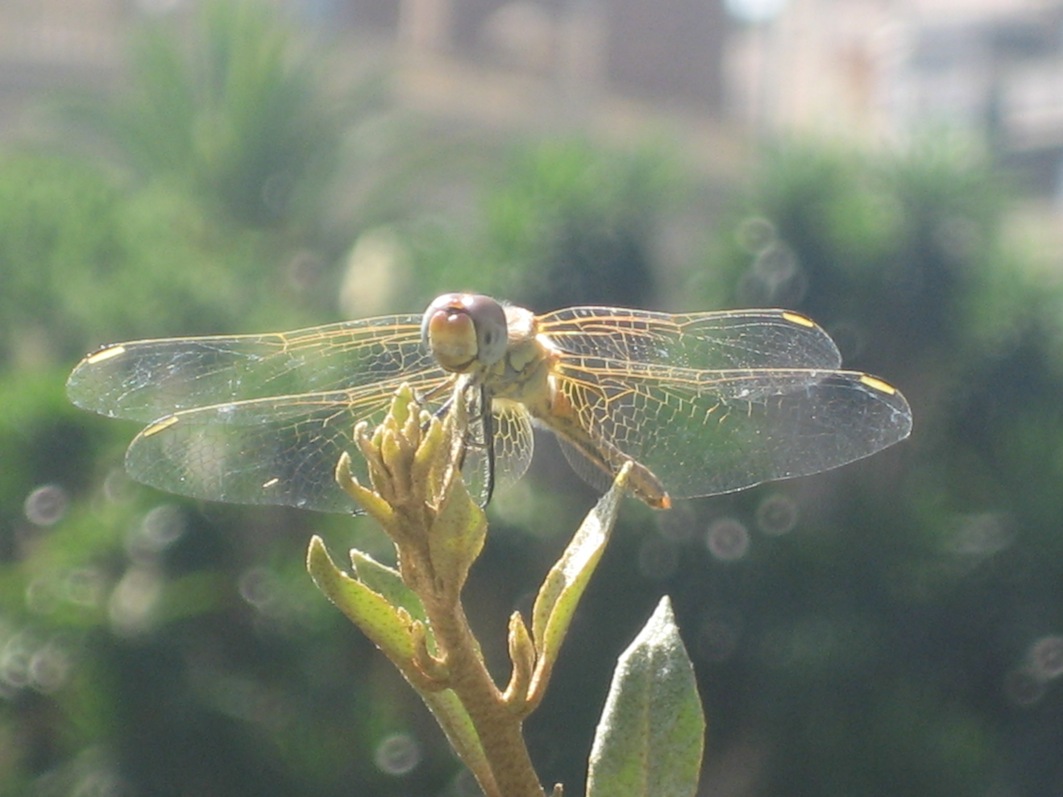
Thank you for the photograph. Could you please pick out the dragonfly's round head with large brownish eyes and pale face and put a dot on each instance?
(465, 331)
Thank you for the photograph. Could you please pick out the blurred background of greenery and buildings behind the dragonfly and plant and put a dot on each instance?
(893, 168)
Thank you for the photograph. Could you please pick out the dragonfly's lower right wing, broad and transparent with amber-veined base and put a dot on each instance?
(710, 433)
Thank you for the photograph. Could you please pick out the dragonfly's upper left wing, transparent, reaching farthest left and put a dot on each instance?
(147, 380)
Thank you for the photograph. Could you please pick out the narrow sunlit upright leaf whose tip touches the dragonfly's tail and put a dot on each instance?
(564, 586)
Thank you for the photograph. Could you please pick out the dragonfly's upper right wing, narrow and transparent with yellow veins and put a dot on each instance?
(707, 342)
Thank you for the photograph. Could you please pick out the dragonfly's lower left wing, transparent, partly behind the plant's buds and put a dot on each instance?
(267, 451)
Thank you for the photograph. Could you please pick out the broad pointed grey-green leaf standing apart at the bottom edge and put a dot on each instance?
(652, 733)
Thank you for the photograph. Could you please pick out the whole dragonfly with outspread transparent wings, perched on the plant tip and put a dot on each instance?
(701, 403)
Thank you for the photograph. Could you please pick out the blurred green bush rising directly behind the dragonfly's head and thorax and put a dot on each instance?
(573, 225)
